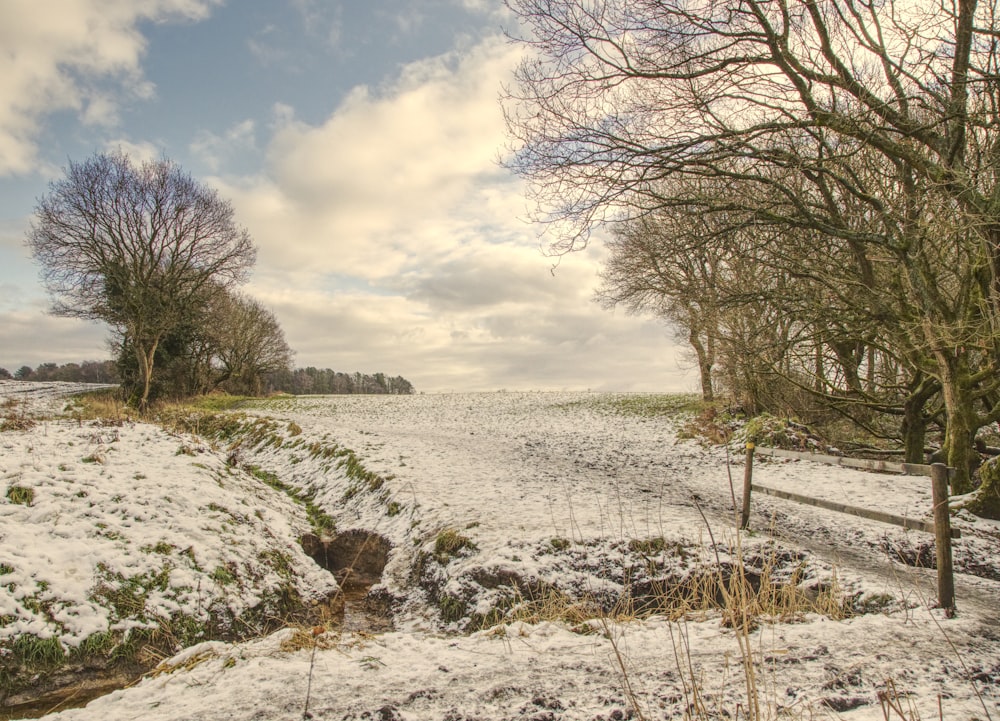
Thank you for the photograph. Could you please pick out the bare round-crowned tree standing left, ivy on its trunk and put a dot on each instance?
(135, 246)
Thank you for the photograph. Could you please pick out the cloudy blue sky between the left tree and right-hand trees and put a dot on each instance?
(359, 144)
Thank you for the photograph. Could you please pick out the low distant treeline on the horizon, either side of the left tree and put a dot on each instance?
(301, 381)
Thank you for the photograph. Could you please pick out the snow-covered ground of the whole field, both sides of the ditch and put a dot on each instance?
(549, 493)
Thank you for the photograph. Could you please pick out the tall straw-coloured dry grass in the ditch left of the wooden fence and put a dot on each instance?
(742, 593)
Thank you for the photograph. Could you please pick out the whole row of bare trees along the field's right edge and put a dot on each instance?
(807, 191)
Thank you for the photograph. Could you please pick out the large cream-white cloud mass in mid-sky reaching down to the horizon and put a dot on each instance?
(391, 240)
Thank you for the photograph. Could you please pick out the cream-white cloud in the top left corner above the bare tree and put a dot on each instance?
(58, 53)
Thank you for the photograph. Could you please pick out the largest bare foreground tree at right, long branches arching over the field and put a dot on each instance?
(870, 125)
